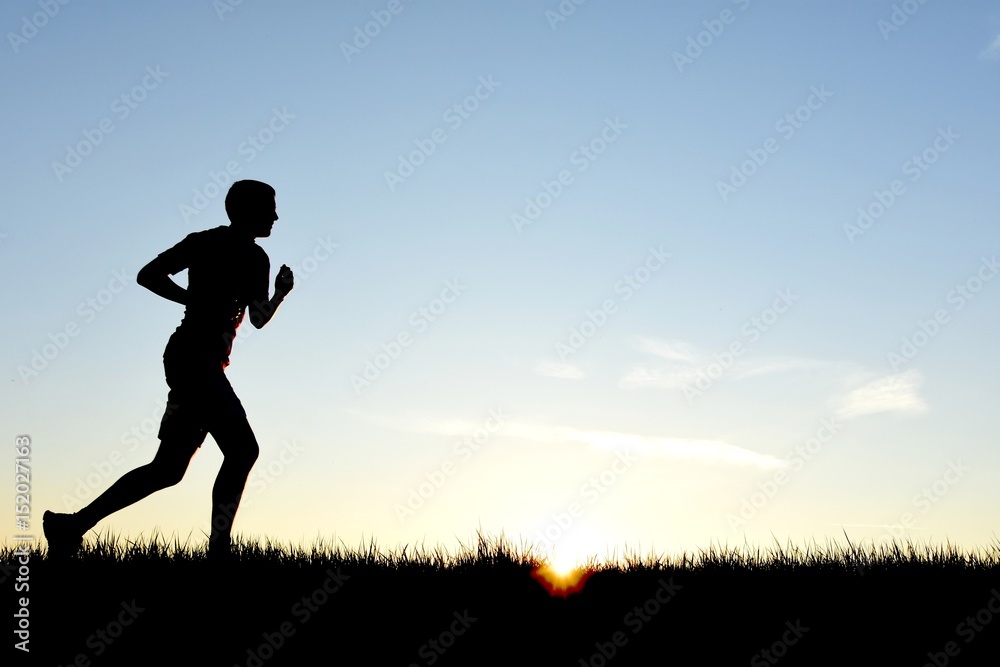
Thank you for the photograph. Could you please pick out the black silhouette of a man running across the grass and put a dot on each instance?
(228, 276)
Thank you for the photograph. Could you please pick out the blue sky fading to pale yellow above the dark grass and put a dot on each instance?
(643, 276)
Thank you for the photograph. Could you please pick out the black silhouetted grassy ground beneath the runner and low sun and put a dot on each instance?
(159, 601)
